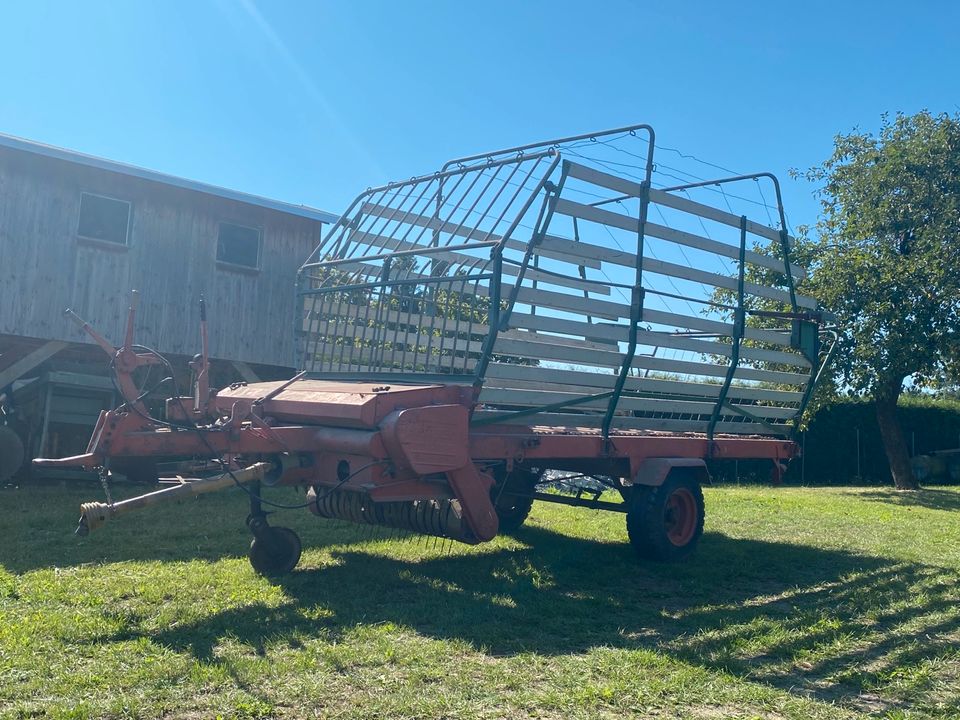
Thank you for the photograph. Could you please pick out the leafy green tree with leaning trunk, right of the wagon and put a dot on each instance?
(886, 260)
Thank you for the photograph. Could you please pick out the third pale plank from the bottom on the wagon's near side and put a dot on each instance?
(549, 378)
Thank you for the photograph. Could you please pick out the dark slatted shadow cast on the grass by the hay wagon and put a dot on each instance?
(821, 623)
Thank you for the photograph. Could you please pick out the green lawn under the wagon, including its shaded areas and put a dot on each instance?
(800, 603)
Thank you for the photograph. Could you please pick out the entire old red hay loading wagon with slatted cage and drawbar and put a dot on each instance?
(539, 323)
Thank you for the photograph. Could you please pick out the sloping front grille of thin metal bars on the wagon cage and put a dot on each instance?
(409, 280)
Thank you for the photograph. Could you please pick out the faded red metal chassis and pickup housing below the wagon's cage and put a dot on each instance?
(398, 443)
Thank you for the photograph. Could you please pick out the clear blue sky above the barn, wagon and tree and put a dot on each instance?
(311, 102)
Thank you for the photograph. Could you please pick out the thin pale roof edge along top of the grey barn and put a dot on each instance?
(16, 143)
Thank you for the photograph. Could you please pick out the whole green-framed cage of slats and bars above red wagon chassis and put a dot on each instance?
(577, 292)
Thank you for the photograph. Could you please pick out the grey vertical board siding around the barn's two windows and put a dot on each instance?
(170, 259)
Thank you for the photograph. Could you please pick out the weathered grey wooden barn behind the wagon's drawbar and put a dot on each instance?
(80, 232)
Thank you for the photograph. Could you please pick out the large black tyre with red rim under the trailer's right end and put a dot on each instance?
(665, 523)
